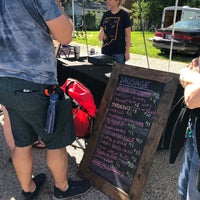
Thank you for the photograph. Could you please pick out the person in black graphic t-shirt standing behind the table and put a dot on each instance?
(115, 32)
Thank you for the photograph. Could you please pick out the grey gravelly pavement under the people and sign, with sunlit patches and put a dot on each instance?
(161, 183)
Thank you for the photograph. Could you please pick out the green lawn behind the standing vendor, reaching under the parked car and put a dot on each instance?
(137, 45)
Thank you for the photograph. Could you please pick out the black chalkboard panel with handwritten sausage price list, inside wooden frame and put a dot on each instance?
(125, 130)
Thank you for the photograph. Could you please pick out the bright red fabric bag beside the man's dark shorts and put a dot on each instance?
(84, 99)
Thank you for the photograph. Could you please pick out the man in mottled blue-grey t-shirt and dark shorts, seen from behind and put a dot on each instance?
(27, 69)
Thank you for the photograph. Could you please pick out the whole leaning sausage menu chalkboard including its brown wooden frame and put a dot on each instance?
(127, 130)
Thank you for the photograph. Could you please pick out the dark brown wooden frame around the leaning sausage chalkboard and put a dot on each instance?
(170, 83)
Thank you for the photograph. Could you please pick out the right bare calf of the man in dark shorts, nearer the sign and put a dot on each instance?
(57, 161)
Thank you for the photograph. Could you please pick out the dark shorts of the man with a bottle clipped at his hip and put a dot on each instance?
(27, 112)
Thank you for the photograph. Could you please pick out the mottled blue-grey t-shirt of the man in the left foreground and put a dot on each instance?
(26, 47)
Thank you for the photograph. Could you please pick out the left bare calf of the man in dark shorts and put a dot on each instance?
(23, 163)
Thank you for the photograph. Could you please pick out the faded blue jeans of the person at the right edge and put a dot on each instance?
(187, 179)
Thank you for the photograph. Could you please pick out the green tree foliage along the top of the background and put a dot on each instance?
(150, 10)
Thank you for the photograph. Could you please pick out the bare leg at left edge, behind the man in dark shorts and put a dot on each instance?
(8, 131)
